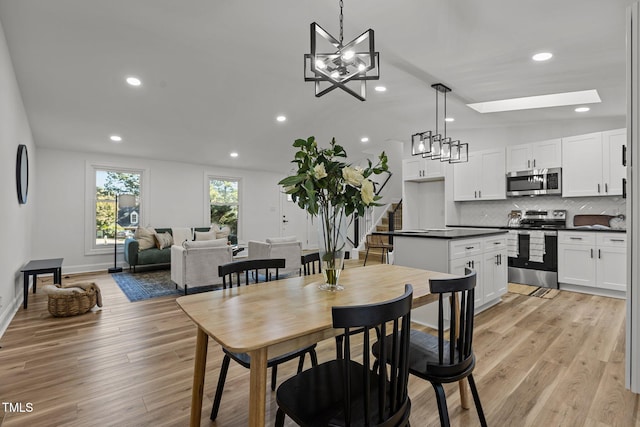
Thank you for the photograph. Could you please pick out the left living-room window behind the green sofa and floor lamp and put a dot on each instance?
(108, 223)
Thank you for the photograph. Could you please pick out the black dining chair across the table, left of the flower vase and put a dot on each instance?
(247, 269)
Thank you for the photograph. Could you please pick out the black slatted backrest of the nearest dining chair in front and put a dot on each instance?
(391, 403)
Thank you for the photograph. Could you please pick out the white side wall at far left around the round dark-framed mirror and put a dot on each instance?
(15, 218)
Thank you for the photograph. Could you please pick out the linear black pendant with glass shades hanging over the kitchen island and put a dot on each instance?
(436, 146)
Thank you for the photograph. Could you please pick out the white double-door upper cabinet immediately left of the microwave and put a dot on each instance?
(481, 178)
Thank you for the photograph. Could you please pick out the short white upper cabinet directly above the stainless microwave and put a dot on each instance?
(536, 155)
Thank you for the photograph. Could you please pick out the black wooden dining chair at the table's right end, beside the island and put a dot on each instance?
(447, 357)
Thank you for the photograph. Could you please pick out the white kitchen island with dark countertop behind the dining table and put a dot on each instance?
(451, 250)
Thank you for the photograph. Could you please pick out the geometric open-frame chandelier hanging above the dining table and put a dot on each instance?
(343, 64)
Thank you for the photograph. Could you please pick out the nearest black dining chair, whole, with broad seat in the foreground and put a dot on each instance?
(348, 392)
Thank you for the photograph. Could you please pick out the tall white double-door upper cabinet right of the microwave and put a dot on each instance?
(592, 164)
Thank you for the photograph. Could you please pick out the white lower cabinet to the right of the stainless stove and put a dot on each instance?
(594, 261)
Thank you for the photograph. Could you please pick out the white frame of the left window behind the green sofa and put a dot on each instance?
(91, 168)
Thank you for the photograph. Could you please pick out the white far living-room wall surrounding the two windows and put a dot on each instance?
(176, 198)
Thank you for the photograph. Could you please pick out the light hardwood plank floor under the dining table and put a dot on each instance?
(541, 362)
